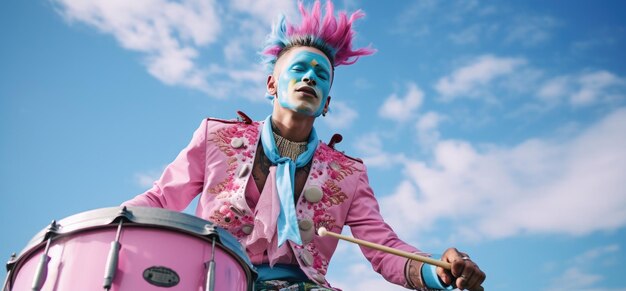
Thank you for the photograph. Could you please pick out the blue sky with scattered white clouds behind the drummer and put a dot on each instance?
(496, 127)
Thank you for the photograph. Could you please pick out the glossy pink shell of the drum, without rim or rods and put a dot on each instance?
(78, 259)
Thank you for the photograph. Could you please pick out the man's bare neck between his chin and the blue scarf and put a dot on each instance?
(291, 125)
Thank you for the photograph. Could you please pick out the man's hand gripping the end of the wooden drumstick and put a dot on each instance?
(465, 274)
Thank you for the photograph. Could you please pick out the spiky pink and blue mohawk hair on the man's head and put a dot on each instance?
(333, 36)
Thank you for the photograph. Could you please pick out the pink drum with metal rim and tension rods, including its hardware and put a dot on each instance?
(131, 248)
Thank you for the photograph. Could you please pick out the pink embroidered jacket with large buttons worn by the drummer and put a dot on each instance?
(217, 164)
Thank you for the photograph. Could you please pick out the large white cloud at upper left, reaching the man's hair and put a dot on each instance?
(171, 35)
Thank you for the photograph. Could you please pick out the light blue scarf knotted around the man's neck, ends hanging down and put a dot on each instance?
(287, 225)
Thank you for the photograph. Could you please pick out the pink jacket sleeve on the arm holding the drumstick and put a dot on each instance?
(366, 223)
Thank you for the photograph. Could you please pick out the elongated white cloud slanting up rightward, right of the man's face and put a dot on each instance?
(473, 79)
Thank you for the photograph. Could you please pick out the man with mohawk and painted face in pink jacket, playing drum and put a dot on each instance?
(298, 183)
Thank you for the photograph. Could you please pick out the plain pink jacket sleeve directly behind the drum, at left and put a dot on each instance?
(182, 179)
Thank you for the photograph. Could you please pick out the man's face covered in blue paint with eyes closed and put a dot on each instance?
(303, 76)
